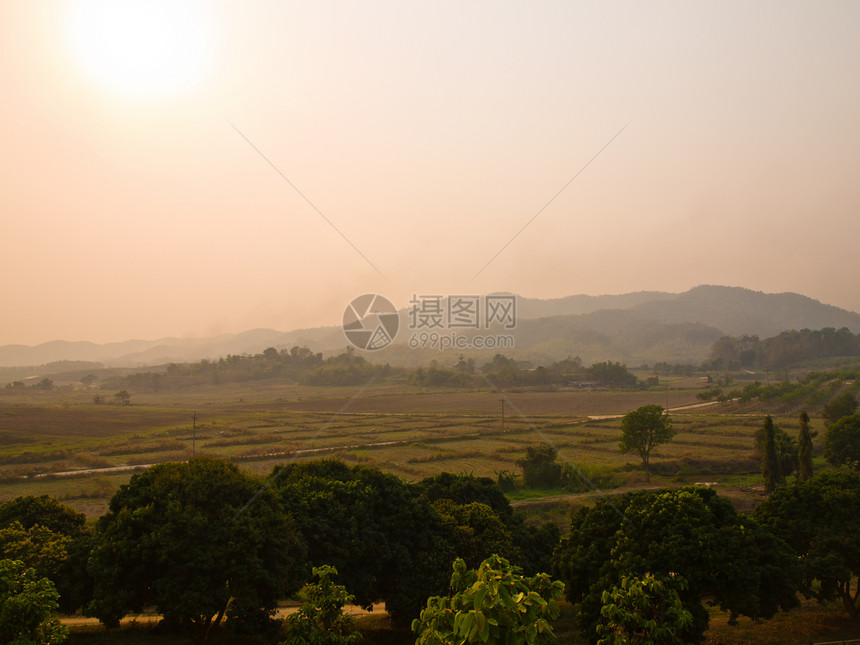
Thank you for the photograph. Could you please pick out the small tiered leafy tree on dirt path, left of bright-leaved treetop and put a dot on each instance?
(321, 619)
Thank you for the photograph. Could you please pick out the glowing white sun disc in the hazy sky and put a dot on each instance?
(141, 48)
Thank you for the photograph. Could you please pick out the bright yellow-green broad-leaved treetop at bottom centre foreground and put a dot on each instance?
(492, 605)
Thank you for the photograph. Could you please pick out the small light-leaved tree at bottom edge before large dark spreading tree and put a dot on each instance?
(643, 611)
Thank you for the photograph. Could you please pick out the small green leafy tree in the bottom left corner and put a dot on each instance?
(28, 606)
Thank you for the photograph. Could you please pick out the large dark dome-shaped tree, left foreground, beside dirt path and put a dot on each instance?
(200, 541)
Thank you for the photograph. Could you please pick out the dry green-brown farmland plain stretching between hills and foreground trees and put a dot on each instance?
(60, 443)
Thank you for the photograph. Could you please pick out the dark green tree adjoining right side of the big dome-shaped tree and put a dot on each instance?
(386, 542)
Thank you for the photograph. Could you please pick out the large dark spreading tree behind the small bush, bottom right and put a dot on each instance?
(689, 532)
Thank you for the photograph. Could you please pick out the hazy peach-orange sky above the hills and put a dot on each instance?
(194, 168)
